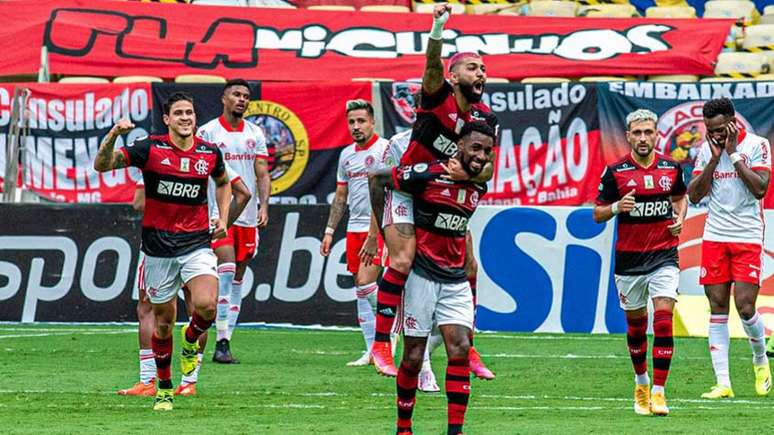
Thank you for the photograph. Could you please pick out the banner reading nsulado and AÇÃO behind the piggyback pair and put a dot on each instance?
(550, 150)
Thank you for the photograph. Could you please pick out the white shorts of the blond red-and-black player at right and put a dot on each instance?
(634, 290)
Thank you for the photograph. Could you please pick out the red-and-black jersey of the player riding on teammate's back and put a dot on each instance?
(439, 120)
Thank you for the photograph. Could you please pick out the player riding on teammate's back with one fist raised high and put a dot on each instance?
(445, 106)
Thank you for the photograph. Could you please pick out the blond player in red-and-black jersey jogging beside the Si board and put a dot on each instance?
(650, 218)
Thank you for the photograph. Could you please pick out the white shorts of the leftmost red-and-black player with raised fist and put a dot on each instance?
(162, 277)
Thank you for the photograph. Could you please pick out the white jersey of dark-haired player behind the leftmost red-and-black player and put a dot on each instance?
(240, 147)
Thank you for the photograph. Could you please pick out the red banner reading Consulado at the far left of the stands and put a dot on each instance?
(66, 123)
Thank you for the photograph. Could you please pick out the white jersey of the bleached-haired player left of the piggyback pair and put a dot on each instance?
(354, 164)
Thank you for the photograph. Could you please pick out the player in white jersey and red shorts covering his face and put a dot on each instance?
(733, 167)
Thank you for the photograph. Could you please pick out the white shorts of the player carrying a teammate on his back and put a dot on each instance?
(427, 303)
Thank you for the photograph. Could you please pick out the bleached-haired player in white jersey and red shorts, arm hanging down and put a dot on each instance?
(355, 161)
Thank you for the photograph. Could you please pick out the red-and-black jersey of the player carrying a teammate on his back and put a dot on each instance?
(442, 209)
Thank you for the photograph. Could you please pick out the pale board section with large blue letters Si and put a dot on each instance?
(545, 269)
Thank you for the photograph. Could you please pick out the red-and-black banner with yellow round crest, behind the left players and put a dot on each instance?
(305, 125)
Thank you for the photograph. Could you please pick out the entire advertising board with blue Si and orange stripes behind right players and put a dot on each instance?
(565, 280)
